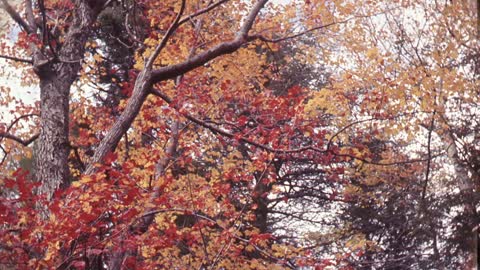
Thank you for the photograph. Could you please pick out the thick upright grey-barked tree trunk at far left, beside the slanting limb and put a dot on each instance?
(57, 73)
